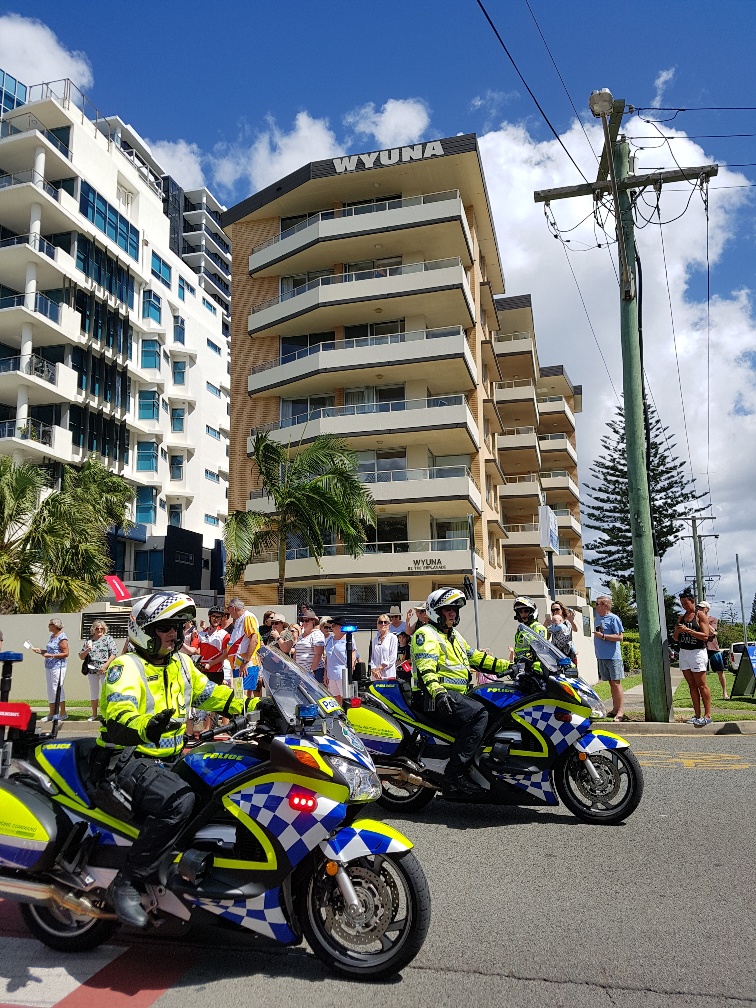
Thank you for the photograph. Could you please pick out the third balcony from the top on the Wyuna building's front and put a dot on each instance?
(313, 370)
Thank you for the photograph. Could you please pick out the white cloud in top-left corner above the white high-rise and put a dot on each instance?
(34, 55)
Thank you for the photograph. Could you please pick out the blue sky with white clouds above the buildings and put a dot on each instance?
(241, 98)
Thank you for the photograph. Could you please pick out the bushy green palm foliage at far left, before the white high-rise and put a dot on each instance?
(54, 549)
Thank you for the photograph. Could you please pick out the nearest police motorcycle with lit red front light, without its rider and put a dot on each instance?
(277, 844)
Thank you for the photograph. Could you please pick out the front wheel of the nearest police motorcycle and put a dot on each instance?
(386, 934)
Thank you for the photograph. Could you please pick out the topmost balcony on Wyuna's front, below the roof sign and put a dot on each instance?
(409, 221)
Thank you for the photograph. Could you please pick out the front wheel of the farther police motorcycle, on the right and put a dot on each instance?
(608, 800)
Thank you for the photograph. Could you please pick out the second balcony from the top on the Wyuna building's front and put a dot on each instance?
(439, 290)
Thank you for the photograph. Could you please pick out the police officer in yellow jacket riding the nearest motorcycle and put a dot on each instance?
(147, 698)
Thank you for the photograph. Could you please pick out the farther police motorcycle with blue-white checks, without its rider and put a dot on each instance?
(540, 745)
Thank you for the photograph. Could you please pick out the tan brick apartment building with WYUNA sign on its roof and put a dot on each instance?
(365, 306)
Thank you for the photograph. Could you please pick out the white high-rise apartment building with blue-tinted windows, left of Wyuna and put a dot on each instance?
(114, 301)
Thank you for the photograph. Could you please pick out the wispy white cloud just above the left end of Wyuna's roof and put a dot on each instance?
(274, 154)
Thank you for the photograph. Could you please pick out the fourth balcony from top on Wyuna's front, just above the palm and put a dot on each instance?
(446, 423)
